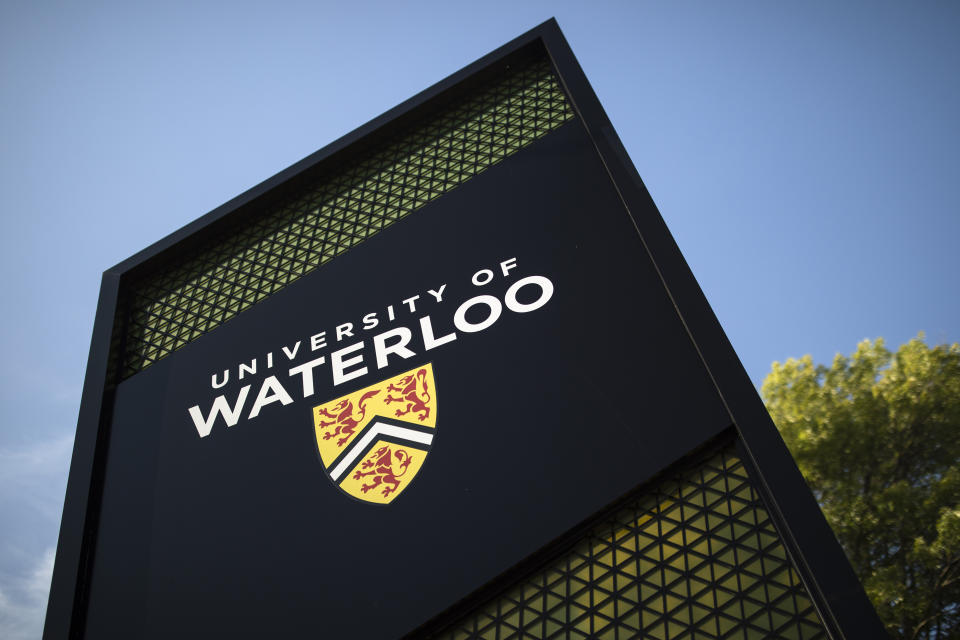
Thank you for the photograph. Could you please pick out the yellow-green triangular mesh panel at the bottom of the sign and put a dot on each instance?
(695, 557)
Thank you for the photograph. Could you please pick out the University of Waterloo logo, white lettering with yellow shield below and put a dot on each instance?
(371, 442)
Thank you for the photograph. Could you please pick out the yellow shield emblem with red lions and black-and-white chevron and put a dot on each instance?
(373, 442)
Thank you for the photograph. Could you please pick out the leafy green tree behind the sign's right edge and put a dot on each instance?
(877, 437)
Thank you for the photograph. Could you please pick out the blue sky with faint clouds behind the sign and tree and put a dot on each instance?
(804, 155)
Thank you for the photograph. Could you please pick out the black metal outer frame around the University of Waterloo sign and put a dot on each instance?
(843, 606)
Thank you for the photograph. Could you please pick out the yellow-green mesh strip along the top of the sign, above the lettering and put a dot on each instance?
(326, 219)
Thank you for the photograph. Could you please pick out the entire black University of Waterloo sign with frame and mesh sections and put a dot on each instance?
(448, 377)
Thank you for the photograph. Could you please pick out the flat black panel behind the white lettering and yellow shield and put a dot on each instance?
(544, 414)
